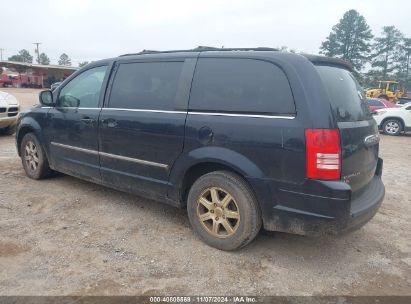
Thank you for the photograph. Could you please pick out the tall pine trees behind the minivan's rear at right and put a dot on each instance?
(374, 58)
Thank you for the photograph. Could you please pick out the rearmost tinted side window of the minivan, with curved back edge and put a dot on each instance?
(240, 85)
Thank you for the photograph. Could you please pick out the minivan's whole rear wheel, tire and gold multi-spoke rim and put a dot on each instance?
(223, 210)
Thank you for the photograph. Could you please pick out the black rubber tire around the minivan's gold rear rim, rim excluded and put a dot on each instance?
(250, 219)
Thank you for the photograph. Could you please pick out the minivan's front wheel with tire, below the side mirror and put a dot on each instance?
(33, 157)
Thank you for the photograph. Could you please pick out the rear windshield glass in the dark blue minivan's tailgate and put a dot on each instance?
(345, 94)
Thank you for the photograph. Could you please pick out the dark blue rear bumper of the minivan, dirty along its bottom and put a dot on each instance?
(323, 207)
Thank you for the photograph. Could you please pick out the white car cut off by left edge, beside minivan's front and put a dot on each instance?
(9, 111)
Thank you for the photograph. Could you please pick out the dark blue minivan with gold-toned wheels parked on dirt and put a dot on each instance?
(239, 137)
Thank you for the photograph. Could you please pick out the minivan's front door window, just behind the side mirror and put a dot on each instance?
(83, 90)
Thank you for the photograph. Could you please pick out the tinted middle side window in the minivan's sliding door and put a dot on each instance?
(146, 85)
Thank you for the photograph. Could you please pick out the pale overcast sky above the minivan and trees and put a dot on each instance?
(94, 29)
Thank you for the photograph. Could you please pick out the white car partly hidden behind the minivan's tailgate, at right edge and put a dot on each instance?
(393, 121)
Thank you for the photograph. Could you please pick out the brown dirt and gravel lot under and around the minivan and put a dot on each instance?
(67, 236)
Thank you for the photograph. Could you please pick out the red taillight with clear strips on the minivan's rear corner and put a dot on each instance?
(323, 152)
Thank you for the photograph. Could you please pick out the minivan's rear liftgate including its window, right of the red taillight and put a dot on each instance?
(358, 130)
